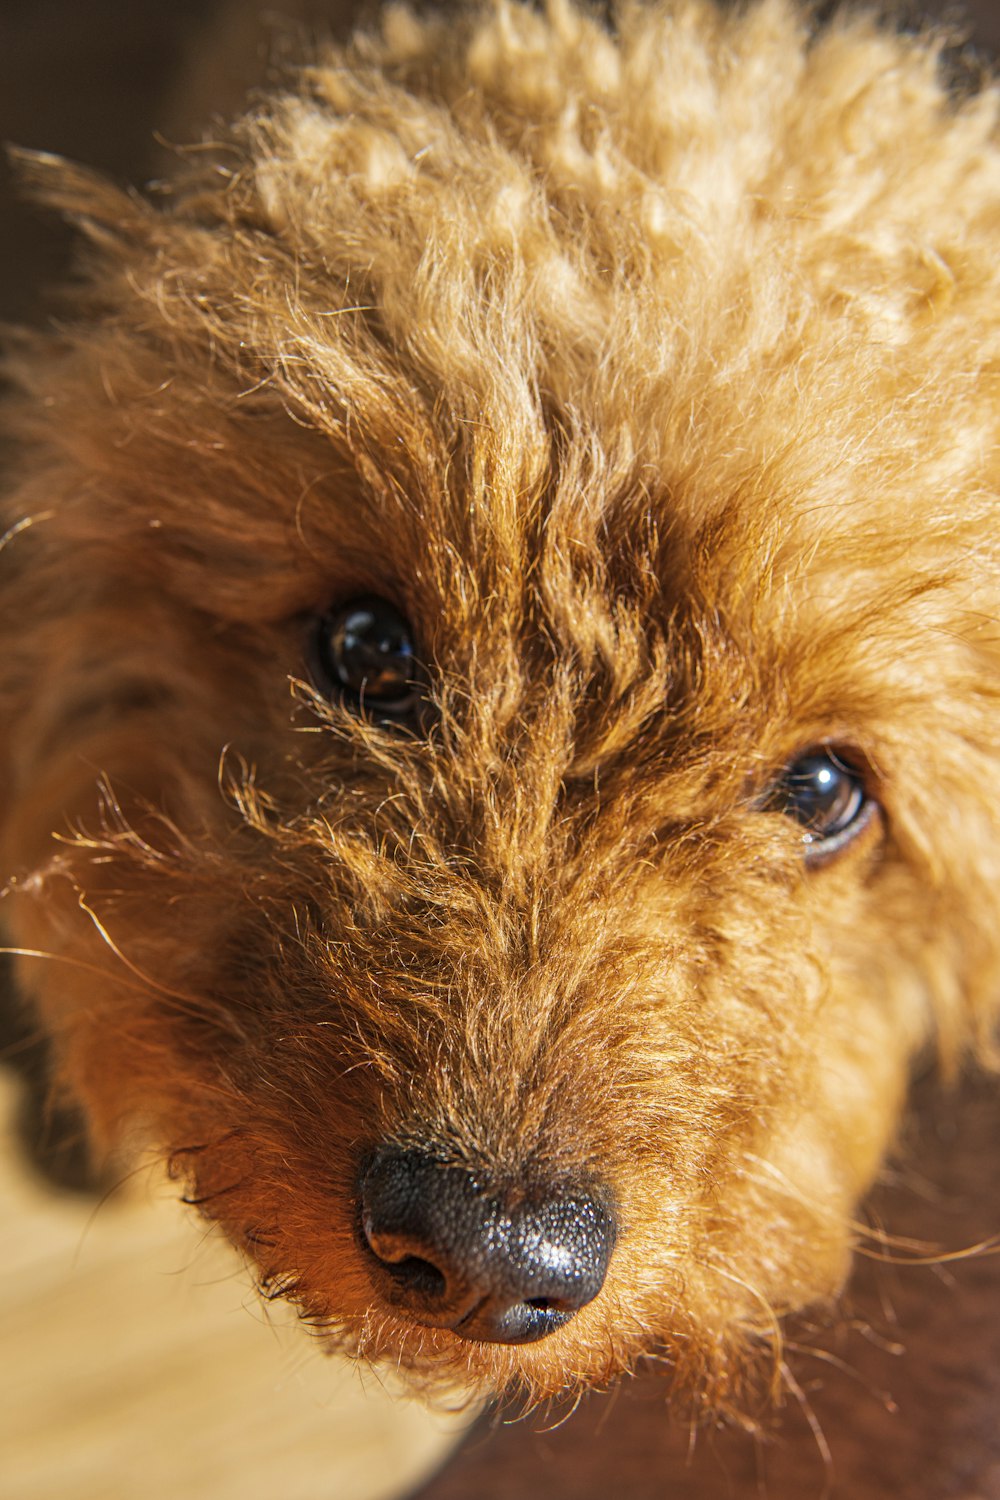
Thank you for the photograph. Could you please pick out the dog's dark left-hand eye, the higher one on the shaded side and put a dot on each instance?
(365, 652)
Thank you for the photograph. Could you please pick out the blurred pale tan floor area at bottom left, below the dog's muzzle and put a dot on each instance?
(136, 1364)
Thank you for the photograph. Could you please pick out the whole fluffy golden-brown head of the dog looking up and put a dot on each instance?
(503, 626)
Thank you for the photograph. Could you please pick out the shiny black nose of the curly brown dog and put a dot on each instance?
(452, 1255)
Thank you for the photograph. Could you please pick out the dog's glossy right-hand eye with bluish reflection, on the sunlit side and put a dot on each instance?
(827, 796)
